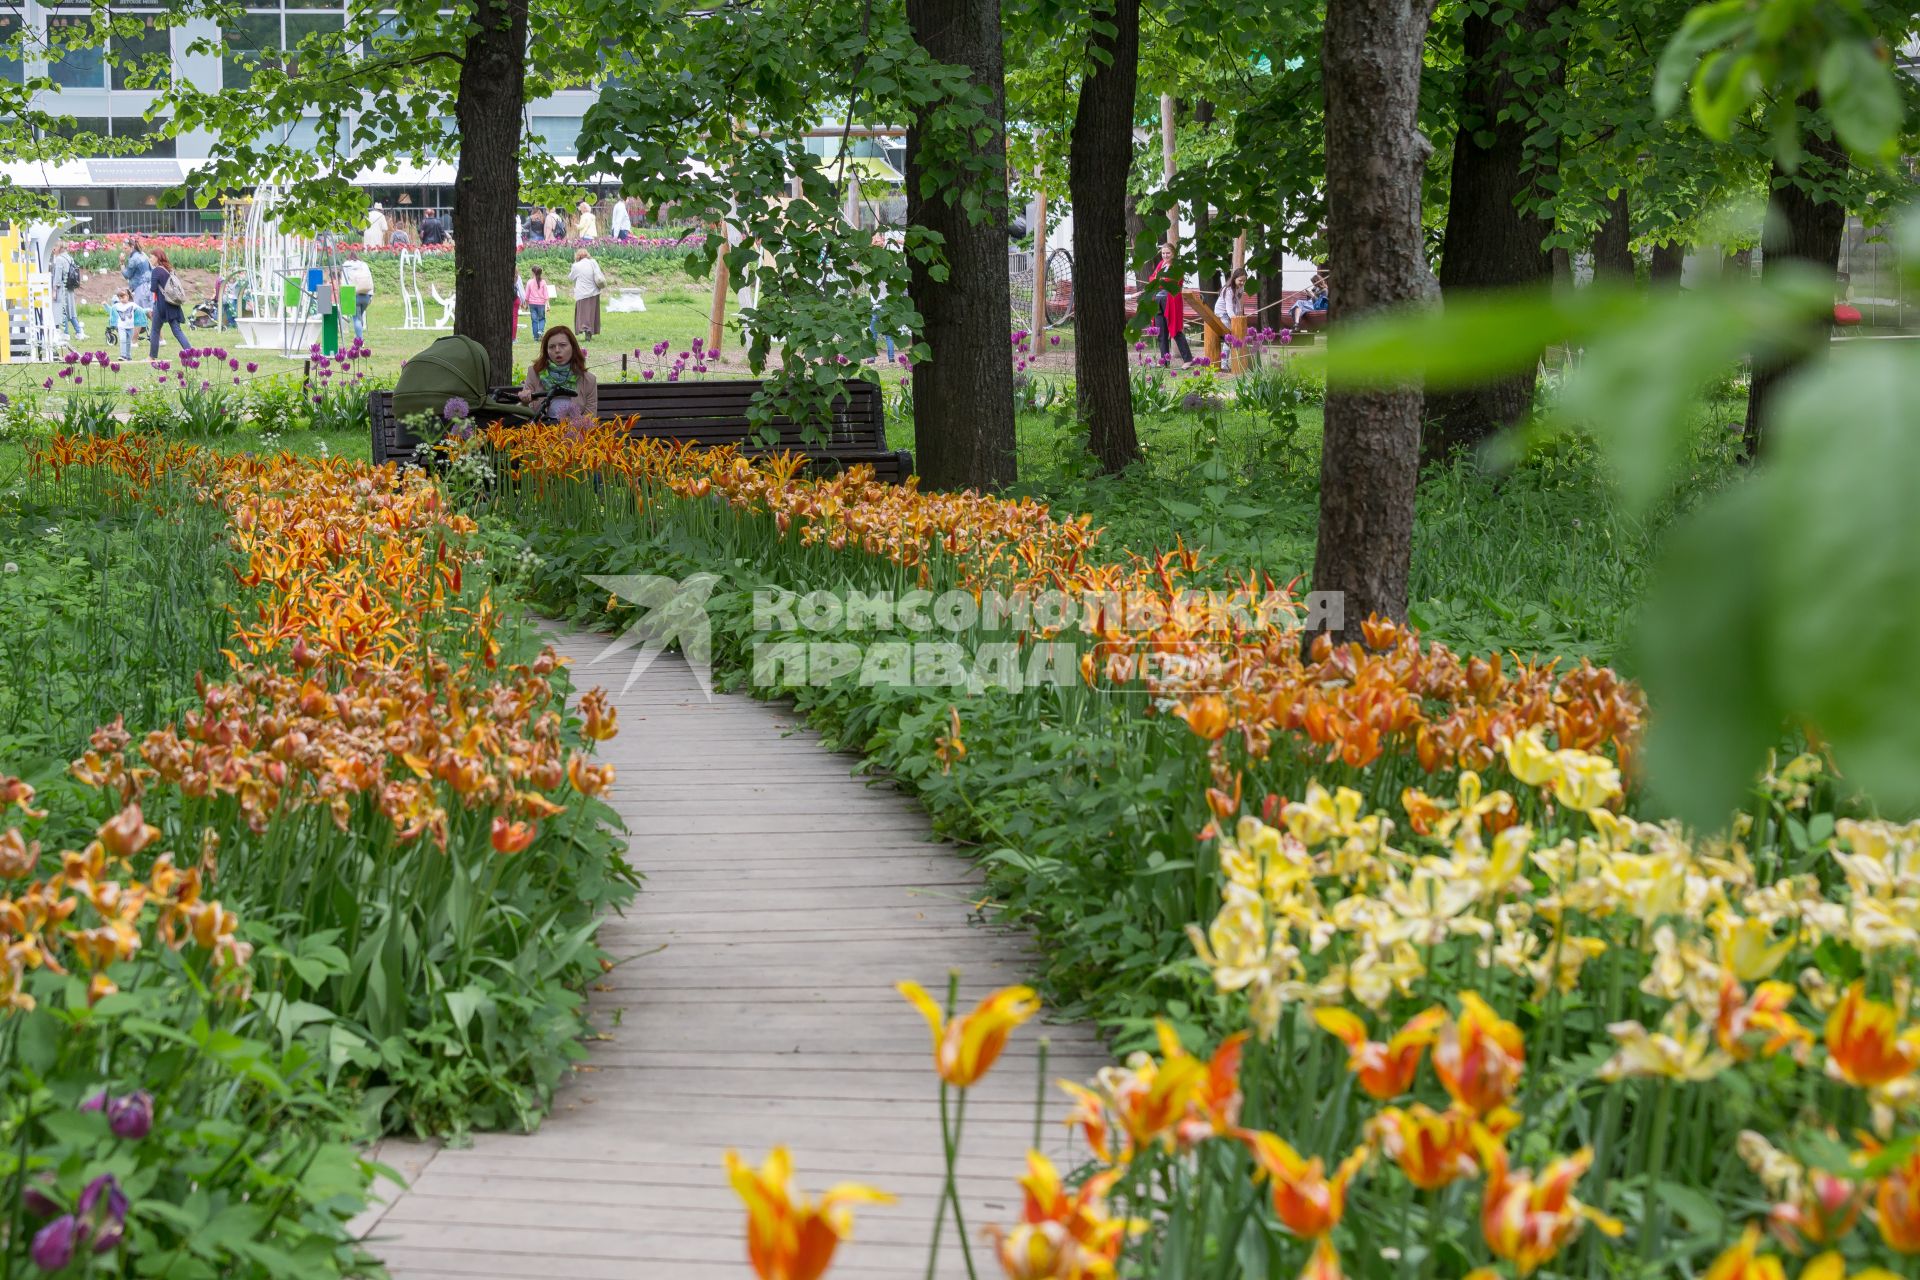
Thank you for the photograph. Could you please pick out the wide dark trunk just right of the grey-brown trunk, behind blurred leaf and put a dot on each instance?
(1491, 243)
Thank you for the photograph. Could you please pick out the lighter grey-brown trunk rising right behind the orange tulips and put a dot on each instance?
(1372, 452)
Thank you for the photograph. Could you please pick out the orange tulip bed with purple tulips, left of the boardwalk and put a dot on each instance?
(343, 878)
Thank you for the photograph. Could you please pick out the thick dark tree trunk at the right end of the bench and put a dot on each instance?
(965, 396)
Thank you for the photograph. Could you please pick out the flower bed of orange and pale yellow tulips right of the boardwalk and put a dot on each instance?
(1420, 985)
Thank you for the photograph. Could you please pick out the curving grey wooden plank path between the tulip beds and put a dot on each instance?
(784, 899)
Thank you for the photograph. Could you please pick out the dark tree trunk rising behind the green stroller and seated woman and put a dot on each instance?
(487, 185)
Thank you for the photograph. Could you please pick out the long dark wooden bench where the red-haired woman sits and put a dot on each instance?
(713, 414)
